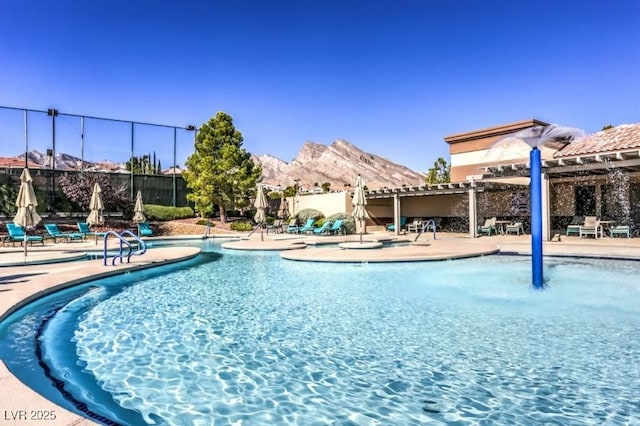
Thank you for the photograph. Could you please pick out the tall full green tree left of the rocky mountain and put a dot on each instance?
(220, 172)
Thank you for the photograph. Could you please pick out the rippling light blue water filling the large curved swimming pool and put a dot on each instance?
(248, 338)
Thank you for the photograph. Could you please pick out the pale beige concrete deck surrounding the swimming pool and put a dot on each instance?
(56, 266)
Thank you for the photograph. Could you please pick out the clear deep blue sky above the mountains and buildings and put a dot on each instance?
(394, 77)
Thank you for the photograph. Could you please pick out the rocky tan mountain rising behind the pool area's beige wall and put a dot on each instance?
(338, 164)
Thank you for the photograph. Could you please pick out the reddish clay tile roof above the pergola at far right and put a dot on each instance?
(624, 137)
